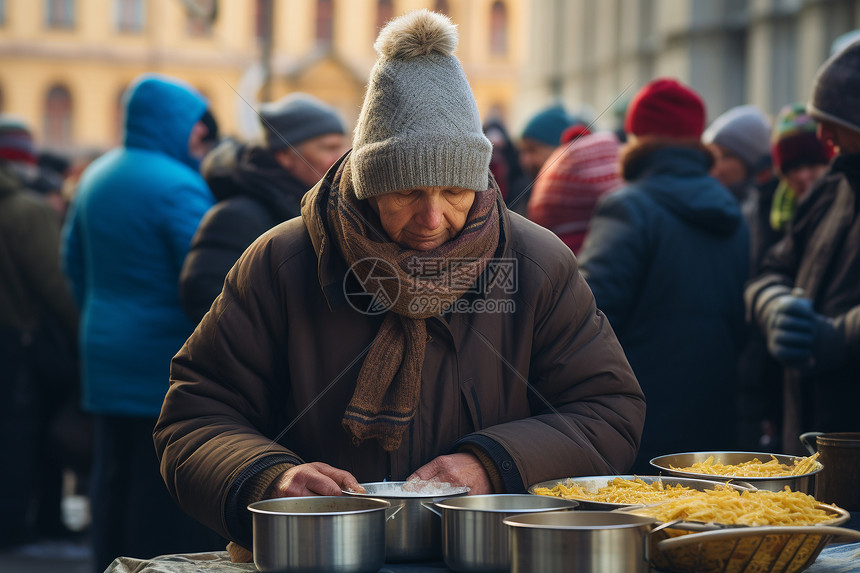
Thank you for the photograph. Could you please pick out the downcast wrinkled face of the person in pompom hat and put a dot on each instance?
(423, 218)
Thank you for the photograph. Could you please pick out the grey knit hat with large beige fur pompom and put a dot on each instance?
(419, 125)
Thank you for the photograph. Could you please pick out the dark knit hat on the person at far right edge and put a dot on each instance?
(836, 89)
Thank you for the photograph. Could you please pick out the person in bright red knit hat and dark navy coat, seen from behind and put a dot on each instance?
(666, 258)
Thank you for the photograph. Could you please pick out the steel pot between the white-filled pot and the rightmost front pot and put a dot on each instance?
(473, 535)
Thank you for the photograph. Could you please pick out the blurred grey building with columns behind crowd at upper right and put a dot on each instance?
(598, 53)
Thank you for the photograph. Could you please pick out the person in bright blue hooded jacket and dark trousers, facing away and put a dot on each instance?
(124, 243)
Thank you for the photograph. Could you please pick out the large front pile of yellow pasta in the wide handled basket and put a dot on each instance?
(728, 506)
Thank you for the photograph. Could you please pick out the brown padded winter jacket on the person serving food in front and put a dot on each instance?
(541, 391)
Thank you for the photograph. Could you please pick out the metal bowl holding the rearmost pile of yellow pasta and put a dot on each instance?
(804, 483)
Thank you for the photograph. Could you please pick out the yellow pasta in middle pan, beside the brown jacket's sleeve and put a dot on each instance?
(619, 491)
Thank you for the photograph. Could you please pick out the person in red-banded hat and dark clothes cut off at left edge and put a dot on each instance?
(33, 298)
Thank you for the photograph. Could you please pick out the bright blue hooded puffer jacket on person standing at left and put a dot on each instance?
(124, 244)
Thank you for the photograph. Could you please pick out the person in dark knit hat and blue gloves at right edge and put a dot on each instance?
(806, 299)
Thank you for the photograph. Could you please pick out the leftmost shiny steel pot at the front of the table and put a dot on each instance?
(325, 534)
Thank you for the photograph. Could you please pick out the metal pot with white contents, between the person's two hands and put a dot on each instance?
(415, 532)
